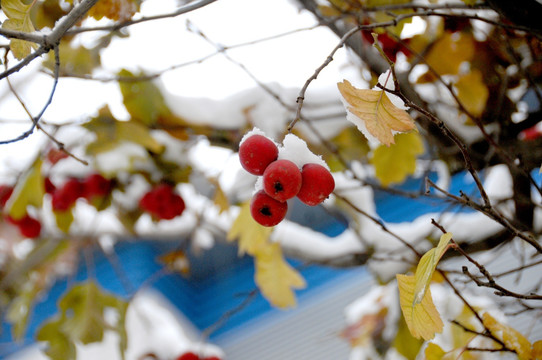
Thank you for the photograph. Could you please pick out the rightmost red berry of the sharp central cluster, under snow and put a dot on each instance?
(316, 185)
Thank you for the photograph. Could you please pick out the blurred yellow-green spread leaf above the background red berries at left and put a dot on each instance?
(111, 132)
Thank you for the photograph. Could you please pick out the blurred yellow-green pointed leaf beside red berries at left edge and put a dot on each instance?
(29, 190)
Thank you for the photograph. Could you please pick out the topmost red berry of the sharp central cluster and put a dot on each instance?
(256, 152)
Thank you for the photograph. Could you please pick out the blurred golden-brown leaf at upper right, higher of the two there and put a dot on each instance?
(448, 52)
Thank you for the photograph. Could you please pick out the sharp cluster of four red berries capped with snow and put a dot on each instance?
(282, 180)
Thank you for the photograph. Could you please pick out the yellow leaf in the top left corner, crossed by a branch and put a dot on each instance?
(18, 15)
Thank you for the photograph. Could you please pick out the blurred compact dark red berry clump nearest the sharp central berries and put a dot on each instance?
(162, 202)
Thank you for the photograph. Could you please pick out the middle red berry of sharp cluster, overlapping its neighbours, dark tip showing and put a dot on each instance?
(282, 180)
